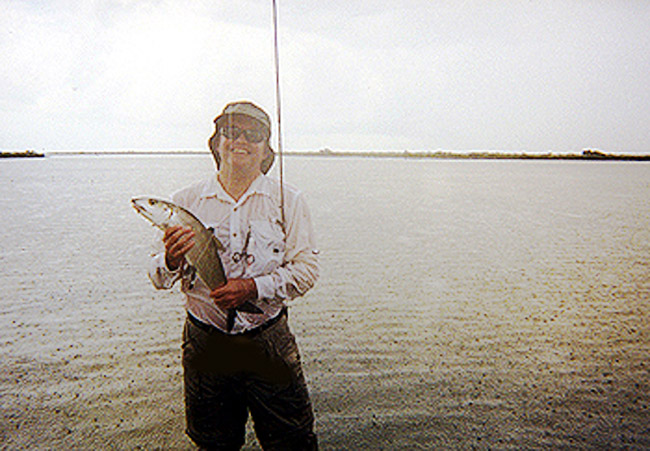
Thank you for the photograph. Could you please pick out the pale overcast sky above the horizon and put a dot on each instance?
(508, 75)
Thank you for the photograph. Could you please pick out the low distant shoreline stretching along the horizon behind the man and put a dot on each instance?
(586, 155)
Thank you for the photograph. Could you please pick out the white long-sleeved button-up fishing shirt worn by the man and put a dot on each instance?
(284, 262)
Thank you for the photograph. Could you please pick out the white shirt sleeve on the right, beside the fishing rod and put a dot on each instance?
(300, 268)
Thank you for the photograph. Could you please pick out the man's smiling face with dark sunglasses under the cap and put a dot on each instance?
(237, 146)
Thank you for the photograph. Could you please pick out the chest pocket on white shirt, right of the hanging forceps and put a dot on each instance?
(266, 244)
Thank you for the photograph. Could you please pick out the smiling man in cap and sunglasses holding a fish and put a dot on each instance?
(247, 361)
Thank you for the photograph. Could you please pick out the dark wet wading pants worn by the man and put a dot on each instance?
(228, 376)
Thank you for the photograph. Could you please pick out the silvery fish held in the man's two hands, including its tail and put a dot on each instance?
(204, 255)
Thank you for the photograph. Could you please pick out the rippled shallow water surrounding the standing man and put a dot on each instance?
(489, 304)
